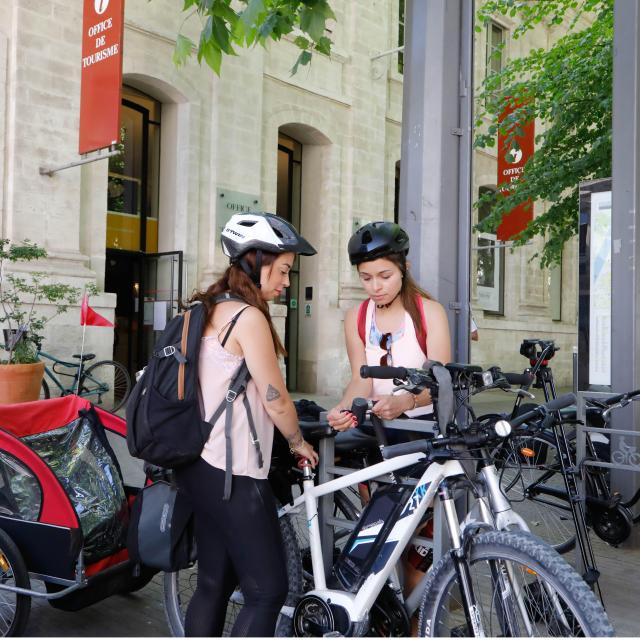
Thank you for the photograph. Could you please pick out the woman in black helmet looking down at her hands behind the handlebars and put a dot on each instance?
(398, 325)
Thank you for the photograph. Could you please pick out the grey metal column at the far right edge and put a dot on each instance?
(625, 267)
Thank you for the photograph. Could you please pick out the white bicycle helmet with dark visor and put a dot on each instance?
(261, 232)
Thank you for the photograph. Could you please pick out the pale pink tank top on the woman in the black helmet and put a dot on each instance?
(405, 352)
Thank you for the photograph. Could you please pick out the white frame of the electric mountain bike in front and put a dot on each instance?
(423, 496)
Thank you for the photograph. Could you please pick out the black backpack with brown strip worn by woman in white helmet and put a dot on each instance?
(165, 421)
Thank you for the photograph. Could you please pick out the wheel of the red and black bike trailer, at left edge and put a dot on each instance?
(14, 608)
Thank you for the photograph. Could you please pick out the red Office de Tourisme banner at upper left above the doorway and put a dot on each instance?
(101, 74)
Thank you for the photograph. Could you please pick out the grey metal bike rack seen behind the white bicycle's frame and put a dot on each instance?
(327, 470)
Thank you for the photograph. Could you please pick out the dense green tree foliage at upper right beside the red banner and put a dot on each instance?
(568, 89)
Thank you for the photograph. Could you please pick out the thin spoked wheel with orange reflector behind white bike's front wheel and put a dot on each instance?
(531, 478)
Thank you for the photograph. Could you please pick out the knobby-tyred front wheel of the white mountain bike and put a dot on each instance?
(522, 588)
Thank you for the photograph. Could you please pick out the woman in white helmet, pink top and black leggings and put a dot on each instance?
(237, 535)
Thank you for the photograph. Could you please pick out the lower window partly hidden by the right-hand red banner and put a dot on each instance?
(490, 265)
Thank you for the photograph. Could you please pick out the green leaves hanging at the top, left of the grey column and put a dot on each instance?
(243, 23)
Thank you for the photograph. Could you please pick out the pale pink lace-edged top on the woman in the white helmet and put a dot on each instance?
(217, 368)
